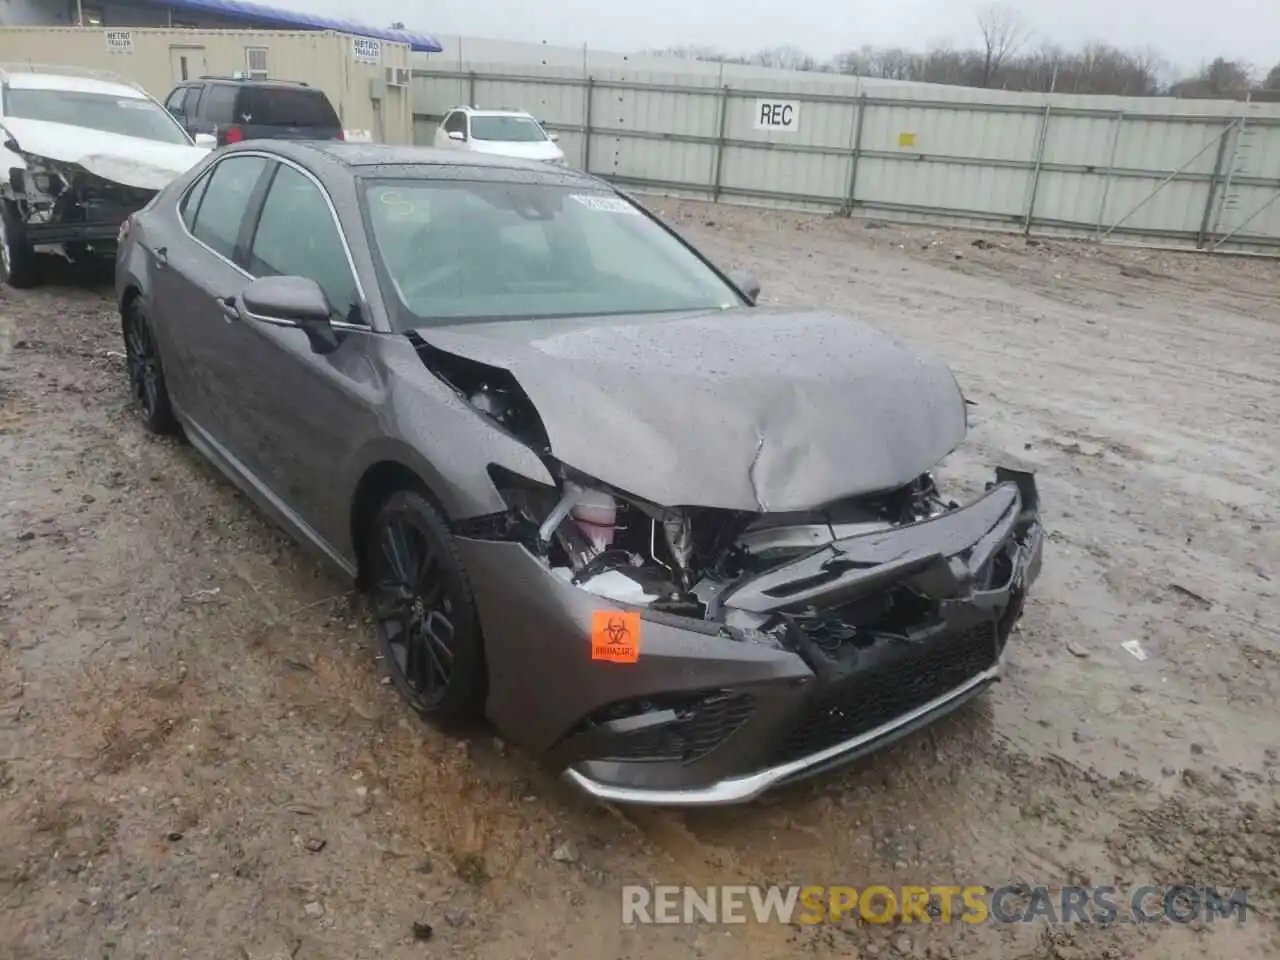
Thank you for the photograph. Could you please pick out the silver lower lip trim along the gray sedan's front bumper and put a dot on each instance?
(738, 790)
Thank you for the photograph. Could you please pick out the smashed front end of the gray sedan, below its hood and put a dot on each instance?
(766, 647)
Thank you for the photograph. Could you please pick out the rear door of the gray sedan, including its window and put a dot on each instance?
(195, 275)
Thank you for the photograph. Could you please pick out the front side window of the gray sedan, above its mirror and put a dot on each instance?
(298, 237)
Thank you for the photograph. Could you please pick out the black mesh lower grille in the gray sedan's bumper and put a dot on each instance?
(880, 696)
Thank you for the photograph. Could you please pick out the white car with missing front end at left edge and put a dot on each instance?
(80, 152)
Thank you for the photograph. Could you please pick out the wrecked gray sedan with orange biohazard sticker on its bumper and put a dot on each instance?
(683, 547)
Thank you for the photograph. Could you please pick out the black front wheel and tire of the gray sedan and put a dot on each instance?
(424, 610)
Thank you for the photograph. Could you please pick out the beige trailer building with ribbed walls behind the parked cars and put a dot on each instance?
(368, 80)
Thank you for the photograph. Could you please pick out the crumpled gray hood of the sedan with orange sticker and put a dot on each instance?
(751, 409)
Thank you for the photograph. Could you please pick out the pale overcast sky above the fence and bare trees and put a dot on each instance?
(1185, 33)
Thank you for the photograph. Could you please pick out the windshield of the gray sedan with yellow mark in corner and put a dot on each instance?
(459, 252)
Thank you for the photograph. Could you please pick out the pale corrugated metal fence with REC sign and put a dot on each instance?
(1203, 175)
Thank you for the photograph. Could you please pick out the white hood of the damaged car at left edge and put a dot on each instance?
(147, 164)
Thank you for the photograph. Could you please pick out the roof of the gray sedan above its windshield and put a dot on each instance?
(442, 163)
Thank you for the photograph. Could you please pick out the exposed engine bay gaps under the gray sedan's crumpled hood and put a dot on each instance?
(683, 561)
